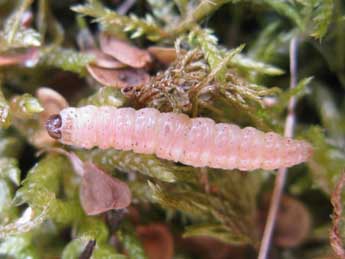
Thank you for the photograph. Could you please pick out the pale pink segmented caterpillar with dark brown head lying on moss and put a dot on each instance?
(197, 142)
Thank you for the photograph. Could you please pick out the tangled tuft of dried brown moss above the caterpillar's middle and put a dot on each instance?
(170, 90)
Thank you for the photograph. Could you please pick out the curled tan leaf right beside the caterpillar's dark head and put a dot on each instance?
(52, 103)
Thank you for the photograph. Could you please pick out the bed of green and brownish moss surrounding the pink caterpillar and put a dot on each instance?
(232, 65)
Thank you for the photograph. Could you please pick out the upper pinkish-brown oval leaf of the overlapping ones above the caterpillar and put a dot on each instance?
(125, 52)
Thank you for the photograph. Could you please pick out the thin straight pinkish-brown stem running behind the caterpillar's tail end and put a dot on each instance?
(280, 179)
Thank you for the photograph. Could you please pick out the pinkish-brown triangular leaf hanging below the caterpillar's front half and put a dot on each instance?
(99, 192)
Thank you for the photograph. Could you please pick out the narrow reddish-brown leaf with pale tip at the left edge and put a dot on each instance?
(29, 58)
